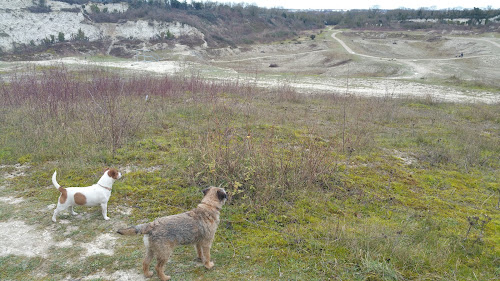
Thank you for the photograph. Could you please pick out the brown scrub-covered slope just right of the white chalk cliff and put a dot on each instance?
(222, 24)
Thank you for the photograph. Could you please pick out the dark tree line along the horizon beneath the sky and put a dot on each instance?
(349, 18)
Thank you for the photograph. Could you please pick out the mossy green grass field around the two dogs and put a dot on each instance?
(321, 186)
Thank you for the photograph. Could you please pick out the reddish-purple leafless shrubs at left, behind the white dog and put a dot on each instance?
(99, 106)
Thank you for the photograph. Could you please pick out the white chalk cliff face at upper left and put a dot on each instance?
(19, 25)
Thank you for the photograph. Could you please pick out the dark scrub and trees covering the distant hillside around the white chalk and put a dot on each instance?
(234, 25)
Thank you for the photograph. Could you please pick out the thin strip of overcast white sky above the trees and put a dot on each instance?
(366, 4)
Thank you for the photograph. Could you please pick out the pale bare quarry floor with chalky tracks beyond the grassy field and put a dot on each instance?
(407, 81)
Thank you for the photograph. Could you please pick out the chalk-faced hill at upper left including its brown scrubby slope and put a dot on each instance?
(28, 28)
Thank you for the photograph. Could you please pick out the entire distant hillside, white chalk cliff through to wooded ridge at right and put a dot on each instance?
(38, 29)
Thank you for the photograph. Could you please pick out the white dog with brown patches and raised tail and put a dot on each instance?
(94, 195)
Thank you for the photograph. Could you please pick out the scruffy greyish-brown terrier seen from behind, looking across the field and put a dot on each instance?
(196, 227)
